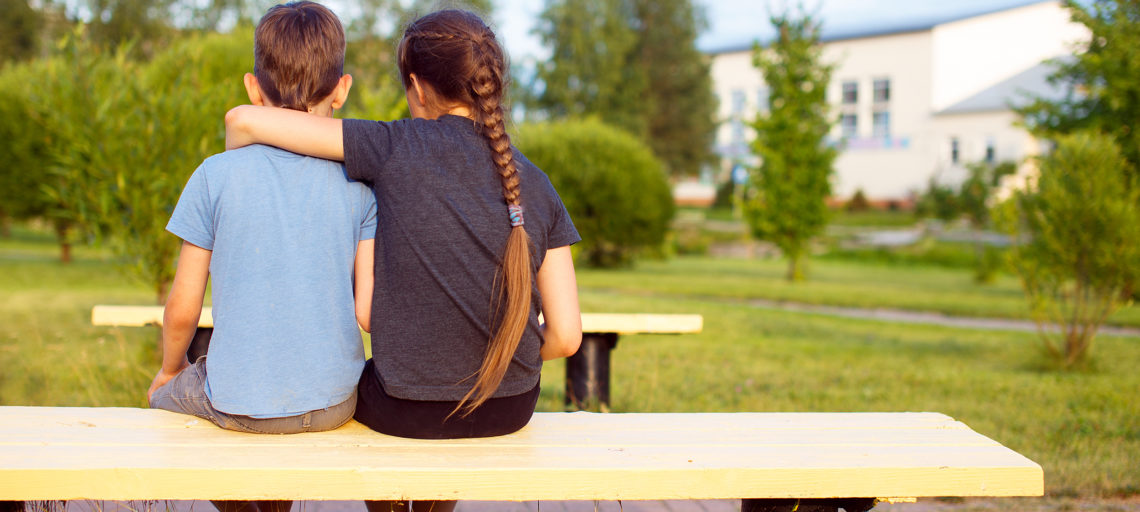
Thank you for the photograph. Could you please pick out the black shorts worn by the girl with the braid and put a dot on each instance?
(426, 420)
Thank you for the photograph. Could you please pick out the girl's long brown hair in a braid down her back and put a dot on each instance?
(458, 54)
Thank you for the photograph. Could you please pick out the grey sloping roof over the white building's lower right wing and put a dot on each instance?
(1015, 92)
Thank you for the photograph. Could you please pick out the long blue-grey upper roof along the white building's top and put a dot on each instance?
(881, 27)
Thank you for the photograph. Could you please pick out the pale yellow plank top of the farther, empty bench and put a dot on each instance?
(591, 322)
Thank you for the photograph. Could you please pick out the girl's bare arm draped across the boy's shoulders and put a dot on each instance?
(288, 129)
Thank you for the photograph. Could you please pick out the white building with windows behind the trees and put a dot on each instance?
(918, 101)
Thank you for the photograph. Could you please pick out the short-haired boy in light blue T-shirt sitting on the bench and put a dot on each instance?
(283, 235)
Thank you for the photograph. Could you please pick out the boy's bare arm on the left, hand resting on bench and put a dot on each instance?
(184, 307)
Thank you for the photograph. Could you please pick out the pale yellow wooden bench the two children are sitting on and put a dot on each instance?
(76, 453)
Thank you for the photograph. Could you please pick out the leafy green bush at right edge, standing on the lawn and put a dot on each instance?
(1079, 235)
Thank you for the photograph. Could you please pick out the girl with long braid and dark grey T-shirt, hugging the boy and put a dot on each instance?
(473, 241)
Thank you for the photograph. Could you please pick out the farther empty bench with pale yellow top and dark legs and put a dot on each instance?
(588, 371)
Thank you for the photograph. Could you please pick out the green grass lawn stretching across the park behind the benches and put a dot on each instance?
(1081, 427)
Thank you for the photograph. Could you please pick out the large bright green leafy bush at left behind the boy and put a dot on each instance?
(121, 137)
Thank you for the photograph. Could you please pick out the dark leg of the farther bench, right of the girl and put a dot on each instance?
(589, 373)
